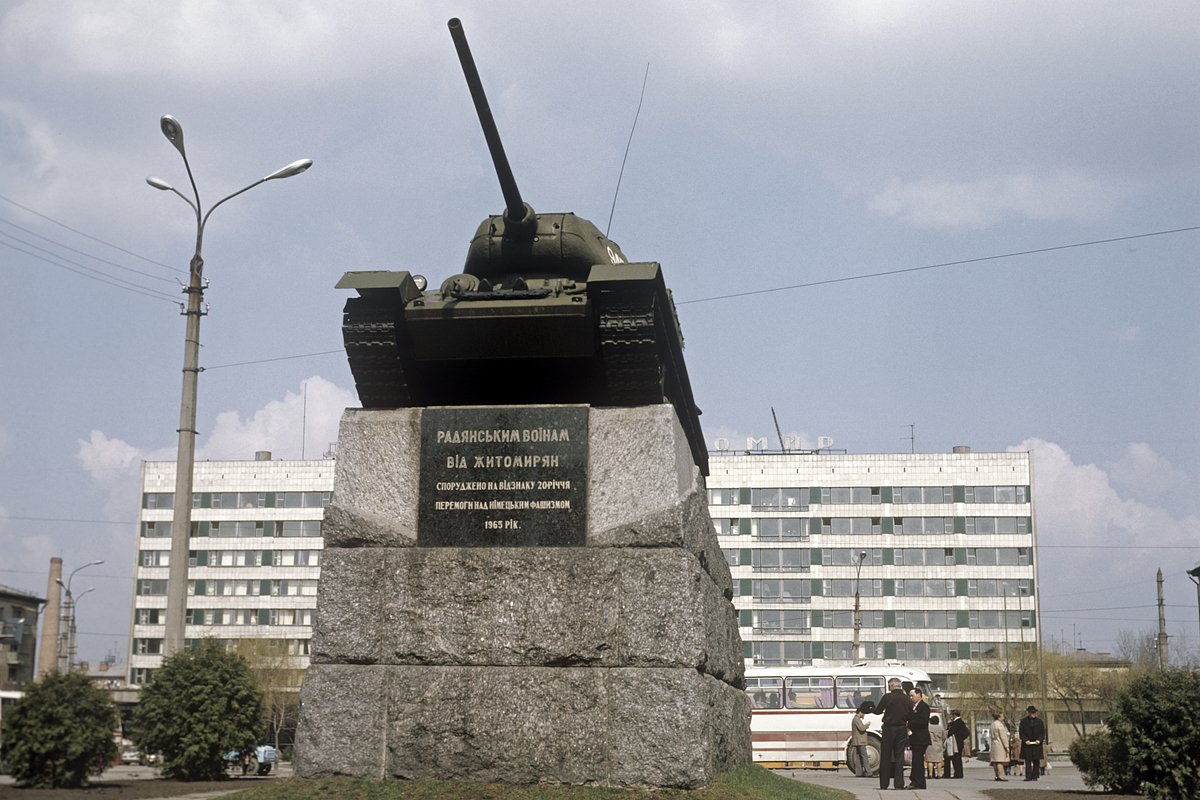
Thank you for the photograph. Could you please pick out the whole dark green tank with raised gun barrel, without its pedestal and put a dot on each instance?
(547, 310)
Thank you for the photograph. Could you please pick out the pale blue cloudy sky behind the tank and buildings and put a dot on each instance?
(905, 226)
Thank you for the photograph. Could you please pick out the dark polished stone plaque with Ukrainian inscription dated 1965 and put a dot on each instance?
(503, 477)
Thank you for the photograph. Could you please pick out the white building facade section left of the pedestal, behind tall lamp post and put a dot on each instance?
(255, 555)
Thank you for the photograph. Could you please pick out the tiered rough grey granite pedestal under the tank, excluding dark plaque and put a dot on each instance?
(617, 663)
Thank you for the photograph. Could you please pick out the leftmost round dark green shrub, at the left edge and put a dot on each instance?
(61, 733)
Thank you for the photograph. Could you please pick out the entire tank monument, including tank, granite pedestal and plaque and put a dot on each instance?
(521, 581)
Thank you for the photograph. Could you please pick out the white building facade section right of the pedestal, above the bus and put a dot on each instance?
(950, 574)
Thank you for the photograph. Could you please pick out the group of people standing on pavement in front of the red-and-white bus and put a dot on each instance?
(937, 749)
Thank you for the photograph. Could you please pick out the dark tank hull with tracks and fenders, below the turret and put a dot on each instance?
(611, 341)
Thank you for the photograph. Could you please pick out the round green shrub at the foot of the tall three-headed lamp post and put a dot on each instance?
(201, 706)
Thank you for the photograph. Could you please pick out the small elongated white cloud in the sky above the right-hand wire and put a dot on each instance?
(945, 204)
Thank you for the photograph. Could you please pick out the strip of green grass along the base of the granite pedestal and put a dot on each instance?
(747, 784)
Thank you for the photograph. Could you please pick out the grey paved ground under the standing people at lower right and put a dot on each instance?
(976, 778)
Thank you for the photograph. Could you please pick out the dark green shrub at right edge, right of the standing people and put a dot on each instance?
(1156, 735)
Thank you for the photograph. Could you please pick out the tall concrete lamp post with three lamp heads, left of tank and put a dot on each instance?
(182, 519)
